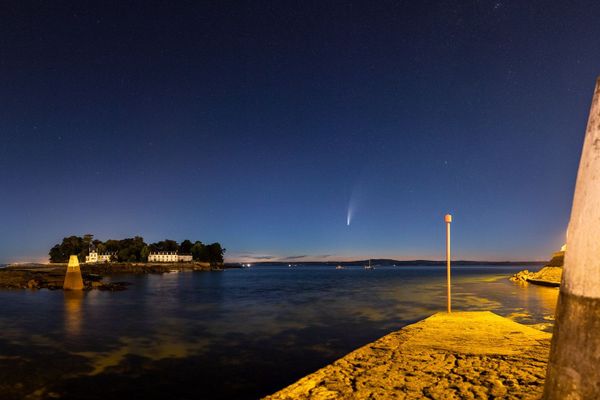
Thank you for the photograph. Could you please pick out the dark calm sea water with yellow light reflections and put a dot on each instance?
(231, 334)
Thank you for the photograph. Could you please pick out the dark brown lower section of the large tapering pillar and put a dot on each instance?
(573, 369)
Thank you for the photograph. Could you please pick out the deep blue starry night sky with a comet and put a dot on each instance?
(264, 125)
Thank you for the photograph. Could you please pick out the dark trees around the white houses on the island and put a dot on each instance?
(134, 249)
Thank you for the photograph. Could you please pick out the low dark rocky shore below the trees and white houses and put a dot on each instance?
(52, 276)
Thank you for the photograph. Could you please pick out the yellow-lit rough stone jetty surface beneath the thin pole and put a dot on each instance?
(463, 355)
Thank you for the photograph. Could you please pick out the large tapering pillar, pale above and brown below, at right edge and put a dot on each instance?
(574, 365)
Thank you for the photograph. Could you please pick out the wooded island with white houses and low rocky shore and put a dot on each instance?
(112, 257)
